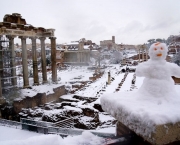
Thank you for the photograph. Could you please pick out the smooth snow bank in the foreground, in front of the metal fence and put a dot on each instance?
(12, 136)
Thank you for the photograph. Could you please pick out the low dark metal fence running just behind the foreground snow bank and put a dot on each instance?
(48, 128)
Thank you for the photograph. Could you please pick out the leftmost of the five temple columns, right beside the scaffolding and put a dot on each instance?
(12, 60)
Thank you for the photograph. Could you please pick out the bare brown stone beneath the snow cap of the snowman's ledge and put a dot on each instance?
(163, 134)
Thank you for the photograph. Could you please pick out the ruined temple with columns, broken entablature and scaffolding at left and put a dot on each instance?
(15, 26)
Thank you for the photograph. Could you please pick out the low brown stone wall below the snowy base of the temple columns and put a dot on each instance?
(38, 99)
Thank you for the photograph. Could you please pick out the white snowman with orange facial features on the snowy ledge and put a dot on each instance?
(157, 73)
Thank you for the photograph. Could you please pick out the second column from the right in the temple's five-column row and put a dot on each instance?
(43, 59)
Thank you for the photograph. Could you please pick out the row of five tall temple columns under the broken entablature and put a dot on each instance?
(34, 58)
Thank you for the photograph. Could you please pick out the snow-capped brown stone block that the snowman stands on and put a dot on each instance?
(157, 127)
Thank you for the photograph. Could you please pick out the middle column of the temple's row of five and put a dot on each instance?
(34, 58)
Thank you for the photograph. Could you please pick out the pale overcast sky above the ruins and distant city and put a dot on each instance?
(130, 21)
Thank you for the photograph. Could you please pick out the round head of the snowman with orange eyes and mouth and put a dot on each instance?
(158, 51)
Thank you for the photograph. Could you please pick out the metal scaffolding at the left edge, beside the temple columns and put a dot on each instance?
(6, 66)
